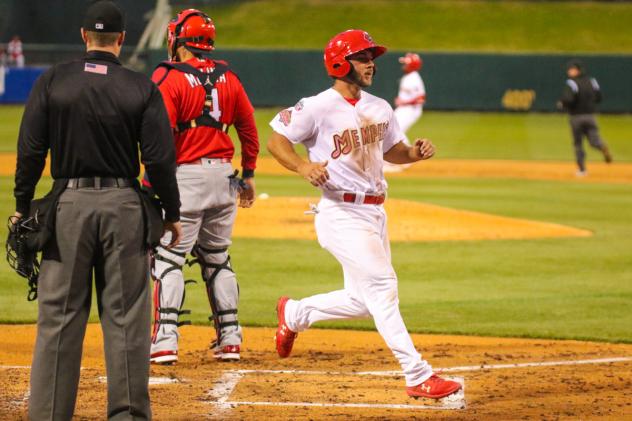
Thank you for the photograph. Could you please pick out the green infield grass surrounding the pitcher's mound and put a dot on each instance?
(549, 288)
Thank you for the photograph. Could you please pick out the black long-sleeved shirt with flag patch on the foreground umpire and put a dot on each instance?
(92, 114)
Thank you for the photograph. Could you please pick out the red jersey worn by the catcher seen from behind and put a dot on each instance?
(183, 95)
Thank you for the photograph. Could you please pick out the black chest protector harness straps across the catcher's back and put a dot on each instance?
(207, 80)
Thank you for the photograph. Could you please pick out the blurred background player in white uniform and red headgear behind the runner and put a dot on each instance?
(410, 99)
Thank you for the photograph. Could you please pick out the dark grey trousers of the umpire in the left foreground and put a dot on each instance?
(99, 233)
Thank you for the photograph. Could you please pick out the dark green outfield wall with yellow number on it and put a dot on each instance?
(494, 82)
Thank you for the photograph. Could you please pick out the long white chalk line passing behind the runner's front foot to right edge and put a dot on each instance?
(443, 370)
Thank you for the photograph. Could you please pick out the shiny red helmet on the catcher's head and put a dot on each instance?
(193, 29)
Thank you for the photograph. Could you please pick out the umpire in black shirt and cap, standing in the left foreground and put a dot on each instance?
(93, 114)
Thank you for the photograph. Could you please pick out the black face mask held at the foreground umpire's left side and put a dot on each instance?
(19, 255)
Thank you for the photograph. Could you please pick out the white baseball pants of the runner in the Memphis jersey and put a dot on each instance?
(357, 237)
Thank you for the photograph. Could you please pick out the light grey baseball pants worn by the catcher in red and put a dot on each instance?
(207, 214)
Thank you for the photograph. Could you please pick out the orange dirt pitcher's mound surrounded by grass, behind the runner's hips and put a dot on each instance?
(286, 218)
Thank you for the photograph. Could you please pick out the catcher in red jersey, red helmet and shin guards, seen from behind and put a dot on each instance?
(203, 98)
